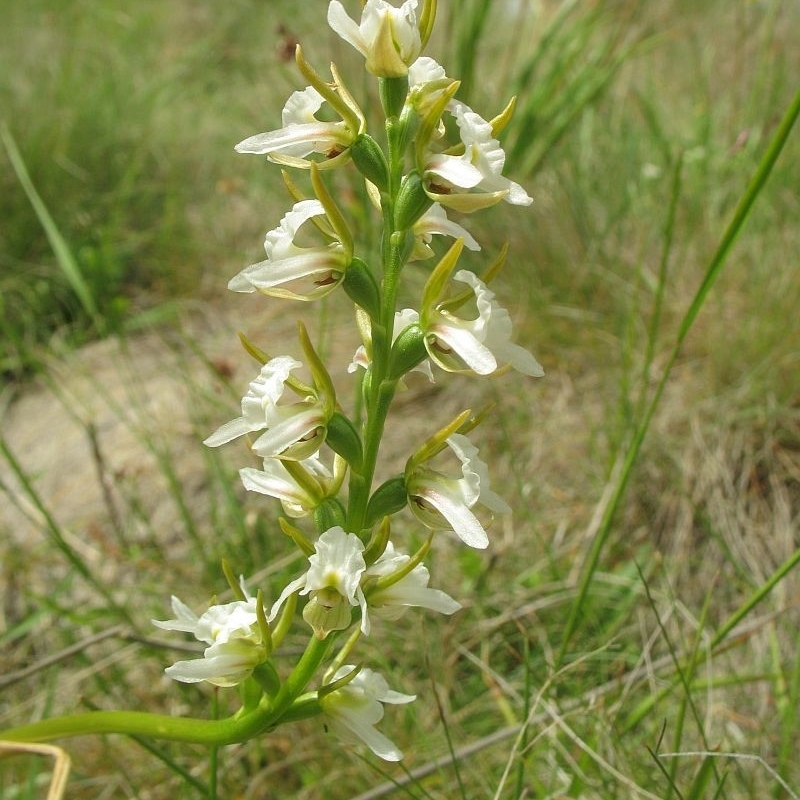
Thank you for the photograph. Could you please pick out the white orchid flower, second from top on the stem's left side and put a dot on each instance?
(298, 273)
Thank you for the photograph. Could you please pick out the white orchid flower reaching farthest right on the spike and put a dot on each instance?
(481, 345)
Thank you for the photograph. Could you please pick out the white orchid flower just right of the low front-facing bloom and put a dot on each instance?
(410, 591)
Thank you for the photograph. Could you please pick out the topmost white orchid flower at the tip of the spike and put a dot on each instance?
(387, 37)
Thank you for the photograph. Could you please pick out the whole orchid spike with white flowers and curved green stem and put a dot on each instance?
(316, 459)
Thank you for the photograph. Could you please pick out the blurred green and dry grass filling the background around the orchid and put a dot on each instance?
(633, 631)
